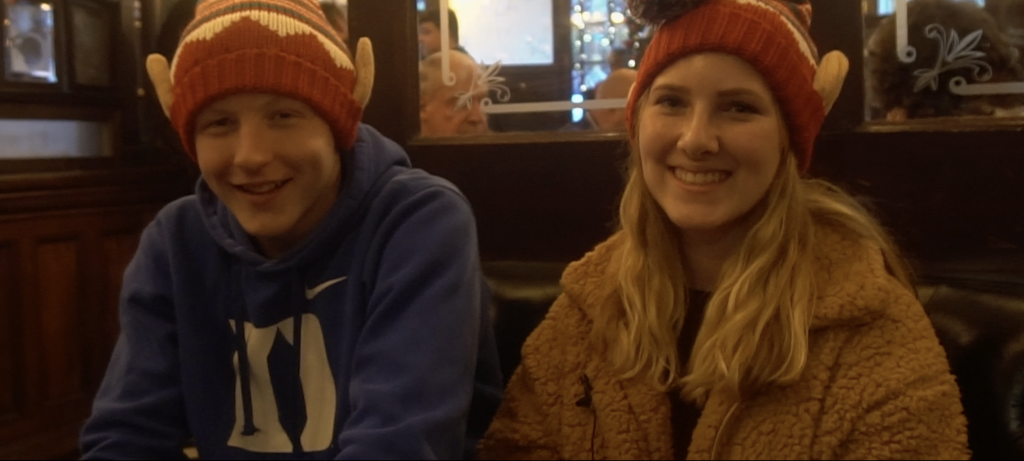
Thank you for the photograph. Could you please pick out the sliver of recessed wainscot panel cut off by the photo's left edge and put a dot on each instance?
(9, 305)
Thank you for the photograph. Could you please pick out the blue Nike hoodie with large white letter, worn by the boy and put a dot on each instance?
(370, 341)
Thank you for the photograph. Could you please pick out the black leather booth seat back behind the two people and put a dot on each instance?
(977, 310)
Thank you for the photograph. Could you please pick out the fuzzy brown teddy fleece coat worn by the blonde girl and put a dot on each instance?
(877, 385)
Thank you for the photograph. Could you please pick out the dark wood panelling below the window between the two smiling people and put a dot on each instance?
(541, 199)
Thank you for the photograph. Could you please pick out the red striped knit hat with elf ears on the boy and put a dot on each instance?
(283, 48)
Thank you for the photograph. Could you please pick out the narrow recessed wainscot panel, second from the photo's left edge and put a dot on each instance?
(61, 328)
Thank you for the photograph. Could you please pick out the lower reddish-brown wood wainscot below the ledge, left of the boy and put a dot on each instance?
(65, 320)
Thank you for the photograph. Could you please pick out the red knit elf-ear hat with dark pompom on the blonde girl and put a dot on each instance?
(771, 35)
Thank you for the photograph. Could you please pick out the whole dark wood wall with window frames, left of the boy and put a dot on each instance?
(68, 228)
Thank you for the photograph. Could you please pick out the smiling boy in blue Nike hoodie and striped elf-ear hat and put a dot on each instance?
(317, 298)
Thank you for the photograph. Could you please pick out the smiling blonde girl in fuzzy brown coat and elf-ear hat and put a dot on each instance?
(743, 311)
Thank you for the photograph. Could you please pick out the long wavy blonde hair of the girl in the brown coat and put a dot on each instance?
(756, 329)
